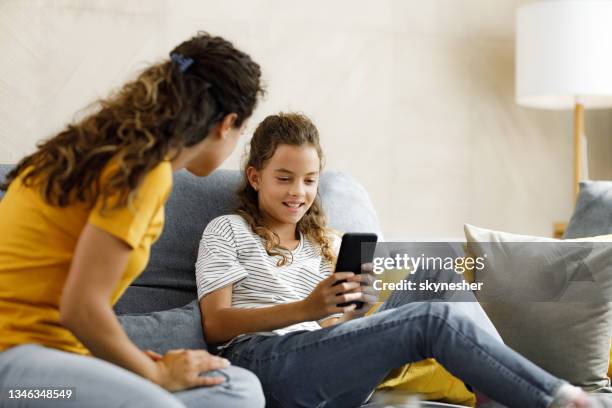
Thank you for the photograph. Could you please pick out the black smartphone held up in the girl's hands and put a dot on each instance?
(353, 254)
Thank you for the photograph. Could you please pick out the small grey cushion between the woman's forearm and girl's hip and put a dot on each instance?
(166, 330)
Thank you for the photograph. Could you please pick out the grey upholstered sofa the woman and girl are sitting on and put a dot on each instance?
(159, 310)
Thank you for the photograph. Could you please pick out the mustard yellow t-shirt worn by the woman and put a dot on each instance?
(37, 243)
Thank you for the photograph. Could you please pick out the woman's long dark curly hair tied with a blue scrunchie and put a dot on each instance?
(165, 109)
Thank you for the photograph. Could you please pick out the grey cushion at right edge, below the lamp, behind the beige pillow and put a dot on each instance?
(593, 213)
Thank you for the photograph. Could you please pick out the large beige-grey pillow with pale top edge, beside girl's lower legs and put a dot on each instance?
(549, 300)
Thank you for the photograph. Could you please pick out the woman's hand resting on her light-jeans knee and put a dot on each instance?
(180, 369)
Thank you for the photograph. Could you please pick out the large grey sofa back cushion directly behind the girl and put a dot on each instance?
(169, 279)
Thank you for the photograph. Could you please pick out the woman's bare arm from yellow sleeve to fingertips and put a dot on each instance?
(85, 309)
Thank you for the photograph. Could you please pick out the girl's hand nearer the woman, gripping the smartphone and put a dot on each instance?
(325, 298)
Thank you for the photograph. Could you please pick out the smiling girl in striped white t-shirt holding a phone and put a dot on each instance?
(267, 292)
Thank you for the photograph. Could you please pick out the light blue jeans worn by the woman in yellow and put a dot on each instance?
(97, 383)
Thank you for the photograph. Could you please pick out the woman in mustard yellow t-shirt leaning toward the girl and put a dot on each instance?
(79, 217)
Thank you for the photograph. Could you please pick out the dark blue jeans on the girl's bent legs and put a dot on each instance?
(339, 366)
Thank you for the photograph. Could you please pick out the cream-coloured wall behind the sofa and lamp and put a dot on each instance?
(413, 98)
